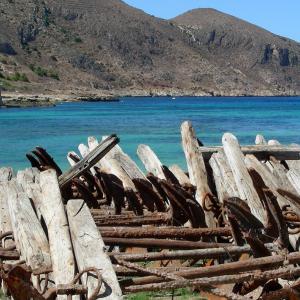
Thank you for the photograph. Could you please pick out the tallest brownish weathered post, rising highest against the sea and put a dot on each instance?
(196, 167)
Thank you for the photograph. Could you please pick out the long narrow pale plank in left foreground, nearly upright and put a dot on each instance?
(53, 211)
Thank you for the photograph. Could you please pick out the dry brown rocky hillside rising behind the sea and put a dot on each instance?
(108, 47)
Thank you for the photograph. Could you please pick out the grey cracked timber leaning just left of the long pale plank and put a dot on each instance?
(28, 232)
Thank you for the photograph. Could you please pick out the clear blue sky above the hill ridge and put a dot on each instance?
(280, 17)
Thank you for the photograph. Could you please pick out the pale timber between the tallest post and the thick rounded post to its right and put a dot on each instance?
(223, 177)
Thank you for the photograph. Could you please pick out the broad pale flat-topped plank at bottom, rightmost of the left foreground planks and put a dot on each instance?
(89, 250)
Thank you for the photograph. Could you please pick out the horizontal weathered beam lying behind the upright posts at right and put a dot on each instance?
(262, 152)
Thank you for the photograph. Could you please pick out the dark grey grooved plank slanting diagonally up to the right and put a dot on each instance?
(89, 161)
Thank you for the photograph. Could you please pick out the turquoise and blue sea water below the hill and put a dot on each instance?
(152, 121)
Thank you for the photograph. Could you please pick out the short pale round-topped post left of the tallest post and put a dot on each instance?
(150, 161)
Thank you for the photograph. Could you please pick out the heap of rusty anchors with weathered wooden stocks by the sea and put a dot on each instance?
(228, 228)
